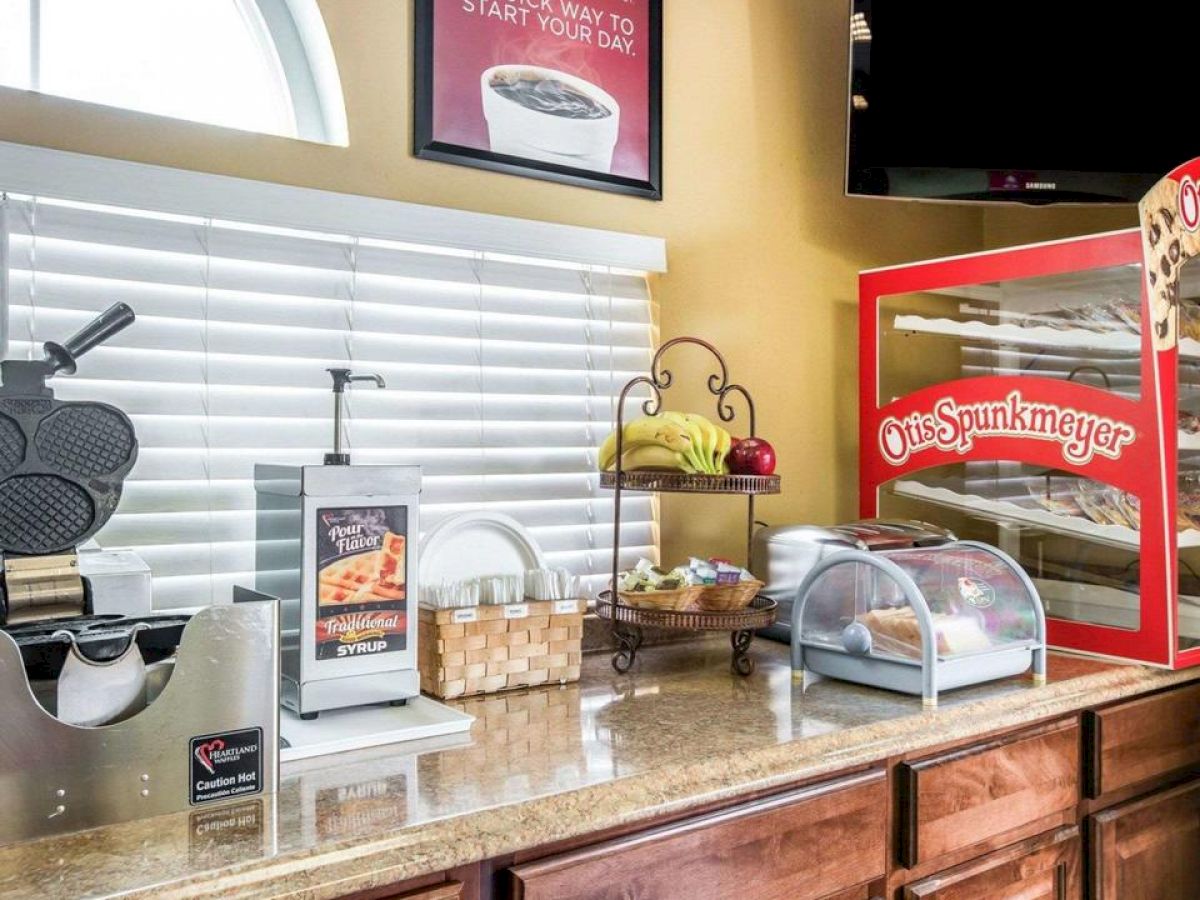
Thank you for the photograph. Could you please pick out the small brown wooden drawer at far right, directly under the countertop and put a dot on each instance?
(1143, 740)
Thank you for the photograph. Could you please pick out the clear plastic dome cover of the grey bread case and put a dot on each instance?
(977, 601)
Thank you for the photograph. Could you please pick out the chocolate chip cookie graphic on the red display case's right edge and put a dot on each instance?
(1167, 245)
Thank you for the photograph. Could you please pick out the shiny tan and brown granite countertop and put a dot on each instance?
(542, 766)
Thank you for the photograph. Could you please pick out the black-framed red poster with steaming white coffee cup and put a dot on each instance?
(563, 91)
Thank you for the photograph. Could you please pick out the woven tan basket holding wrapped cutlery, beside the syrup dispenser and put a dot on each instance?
(484, 650)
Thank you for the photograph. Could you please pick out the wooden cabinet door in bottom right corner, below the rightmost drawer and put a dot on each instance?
(1148, 849)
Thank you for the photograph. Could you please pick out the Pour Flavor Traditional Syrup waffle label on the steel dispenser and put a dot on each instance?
(362, 581)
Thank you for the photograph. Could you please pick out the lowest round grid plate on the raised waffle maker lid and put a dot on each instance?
(44, 514)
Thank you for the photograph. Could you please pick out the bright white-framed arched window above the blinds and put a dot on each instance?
(259, 65)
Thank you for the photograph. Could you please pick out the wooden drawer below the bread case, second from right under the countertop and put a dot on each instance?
(970, 796)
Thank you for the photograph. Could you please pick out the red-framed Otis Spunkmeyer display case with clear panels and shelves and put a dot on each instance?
(1047, 400)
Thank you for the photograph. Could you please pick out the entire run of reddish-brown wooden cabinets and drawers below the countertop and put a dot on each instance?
(999, 820)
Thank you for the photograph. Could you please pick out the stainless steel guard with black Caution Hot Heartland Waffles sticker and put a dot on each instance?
(212, 736)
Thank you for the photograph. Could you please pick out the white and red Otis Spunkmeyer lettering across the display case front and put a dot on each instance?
(955, 428)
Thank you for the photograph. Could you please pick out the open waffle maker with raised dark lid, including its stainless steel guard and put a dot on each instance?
(93, 735)
